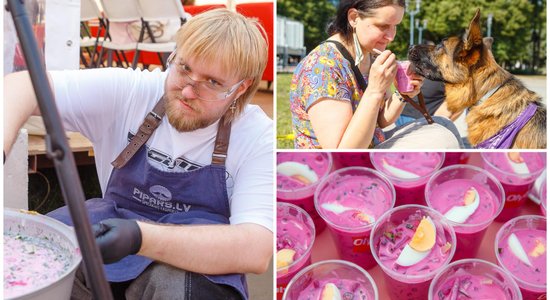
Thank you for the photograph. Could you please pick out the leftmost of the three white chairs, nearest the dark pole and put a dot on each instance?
(89, 12)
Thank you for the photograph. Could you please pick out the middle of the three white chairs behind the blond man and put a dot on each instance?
(119, 11)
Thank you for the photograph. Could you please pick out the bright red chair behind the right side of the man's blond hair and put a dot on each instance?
(263, 11)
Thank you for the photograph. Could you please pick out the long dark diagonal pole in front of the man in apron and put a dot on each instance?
(58, 150)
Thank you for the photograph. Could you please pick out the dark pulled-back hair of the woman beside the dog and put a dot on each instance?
(341, 25)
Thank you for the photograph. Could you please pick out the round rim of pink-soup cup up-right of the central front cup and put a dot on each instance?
(477, 169)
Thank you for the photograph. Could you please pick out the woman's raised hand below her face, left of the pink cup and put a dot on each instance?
(382, 72)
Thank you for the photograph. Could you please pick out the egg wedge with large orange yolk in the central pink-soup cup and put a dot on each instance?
(420, 245)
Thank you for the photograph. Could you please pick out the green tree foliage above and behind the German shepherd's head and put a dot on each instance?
(512, 30)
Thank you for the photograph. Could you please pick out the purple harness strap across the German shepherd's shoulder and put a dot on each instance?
(505, 137)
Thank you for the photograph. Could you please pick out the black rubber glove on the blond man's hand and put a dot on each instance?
(117, 238)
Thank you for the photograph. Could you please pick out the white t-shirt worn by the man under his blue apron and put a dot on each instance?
(107, 105)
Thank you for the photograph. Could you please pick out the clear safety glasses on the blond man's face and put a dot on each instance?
(208, 90)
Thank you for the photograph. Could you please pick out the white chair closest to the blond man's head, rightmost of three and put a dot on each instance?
(158, 11)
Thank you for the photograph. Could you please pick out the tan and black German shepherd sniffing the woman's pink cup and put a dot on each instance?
(474, 81)
